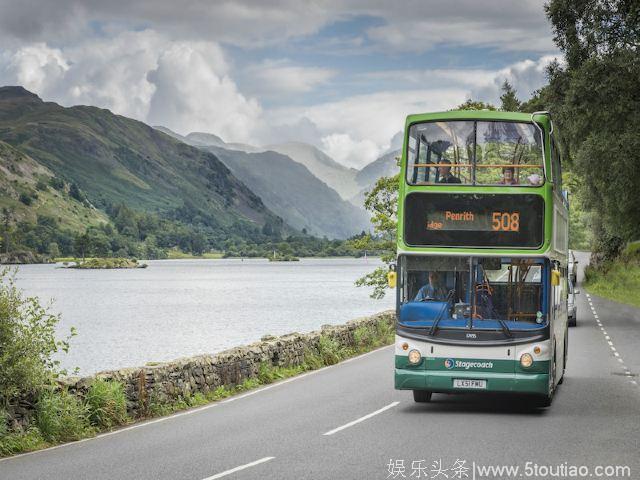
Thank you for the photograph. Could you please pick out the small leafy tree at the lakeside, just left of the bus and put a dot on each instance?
(382, 202)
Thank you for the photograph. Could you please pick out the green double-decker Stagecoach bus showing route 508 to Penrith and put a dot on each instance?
(481, 272)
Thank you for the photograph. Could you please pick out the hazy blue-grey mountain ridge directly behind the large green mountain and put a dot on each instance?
(291, 191)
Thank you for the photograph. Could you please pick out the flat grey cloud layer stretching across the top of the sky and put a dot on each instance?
(408, 26)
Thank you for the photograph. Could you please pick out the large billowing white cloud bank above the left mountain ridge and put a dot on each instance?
(185, 86)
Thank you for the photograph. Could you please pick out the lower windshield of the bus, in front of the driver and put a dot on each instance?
(472, 292)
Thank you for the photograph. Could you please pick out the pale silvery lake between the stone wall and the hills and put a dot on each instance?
(177, 308)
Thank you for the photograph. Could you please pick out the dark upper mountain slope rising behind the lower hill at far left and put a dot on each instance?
(116, 160)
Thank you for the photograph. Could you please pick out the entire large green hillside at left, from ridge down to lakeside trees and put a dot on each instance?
(103, 183)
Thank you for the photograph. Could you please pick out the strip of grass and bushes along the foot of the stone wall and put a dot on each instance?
(61, 416)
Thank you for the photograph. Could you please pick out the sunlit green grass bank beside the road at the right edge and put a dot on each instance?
(618, 280)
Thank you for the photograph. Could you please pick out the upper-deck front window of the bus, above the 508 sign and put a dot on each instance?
(475, 153)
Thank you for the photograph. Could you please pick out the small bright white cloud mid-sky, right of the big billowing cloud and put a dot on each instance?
(282, 77)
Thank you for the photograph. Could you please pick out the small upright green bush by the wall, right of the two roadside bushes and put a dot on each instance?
(107, 404)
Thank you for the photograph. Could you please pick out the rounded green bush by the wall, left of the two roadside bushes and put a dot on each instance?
(61, 416)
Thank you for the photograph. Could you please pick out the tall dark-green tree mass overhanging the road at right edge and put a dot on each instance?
(595, 102)
